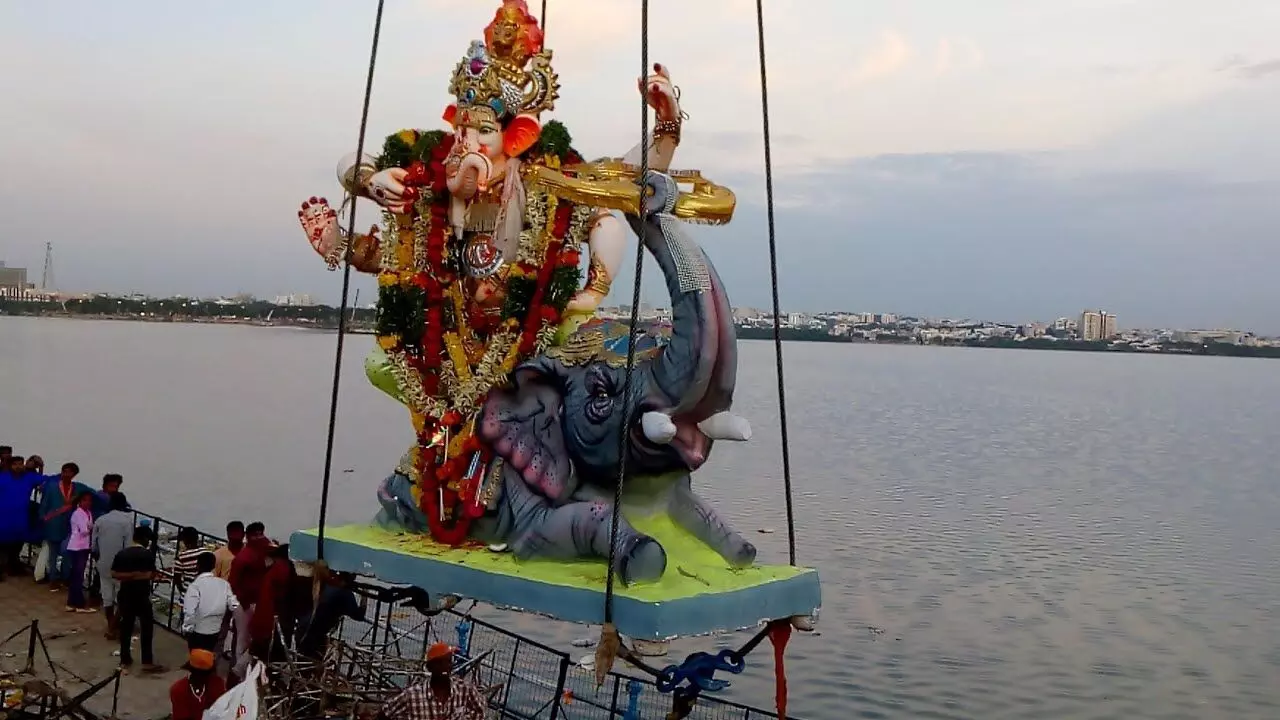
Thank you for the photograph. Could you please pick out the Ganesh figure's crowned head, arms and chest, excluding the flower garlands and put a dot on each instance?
(501, 89)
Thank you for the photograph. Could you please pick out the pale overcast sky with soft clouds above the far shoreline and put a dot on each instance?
(999, 160)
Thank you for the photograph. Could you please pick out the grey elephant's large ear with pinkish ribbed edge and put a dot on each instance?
(523, 425)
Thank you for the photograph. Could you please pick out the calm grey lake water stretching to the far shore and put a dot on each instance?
(1000, 534)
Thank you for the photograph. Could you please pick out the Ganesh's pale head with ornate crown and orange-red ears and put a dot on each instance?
(501, 88)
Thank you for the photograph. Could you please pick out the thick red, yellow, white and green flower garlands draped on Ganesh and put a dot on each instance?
(447, 356)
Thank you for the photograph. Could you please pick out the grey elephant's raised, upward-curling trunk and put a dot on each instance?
(696, 372)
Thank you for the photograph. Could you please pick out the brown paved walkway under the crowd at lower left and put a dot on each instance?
(81, 654)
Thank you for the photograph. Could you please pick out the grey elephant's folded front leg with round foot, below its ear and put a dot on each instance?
(577, 530)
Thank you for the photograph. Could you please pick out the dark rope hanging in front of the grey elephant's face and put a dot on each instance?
(636, 313)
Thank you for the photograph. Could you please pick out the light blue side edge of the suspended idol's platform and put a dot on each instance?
(801, 595)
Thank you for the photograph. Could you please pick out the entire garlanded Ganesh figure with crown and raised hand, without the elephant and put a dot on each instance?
(478, 257)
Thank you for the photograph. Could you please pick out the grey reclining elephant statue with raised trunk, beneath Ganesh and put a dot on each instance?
(557, 430)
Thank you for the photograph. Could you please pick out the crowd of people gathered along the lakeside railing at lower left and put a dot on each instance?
(243, 601)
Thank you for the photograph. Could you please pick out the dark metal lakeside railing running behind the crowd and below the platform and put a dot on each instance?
(536, 681)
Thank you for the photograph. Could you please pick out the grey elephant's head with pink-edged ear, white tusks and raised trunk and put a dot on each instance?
(569, 413)
